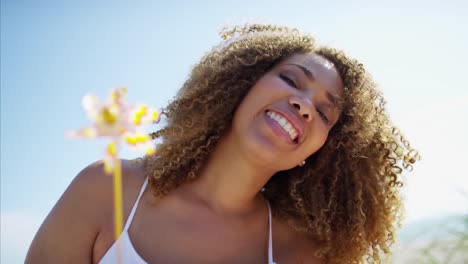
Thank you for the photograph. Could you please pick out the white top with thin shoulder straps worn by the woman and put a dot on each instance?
(129, 254)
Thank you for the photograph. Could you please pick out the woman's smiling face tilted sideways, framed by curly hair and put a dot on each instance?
(288, 113)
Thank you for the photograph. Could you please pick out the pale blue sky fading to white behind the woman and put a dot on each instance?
(54, 52)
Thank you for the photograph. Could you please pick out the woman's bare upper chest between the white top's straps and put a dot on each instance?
(160, 235)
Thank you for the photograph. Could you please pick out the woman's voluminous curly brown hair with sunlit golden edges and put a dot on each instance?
(346, 197)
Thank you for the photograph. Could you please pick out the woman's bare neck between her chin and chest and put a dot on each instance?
(230, 181)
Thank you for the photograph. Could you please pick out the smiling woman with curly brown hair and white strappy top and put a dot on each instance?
(275, 148)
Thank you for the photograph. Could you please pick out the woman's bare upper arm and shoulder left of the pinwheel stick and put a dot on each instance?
(68, 233)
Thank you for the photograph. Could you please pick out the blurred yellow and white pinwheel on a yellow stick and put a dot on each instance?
(122, 123)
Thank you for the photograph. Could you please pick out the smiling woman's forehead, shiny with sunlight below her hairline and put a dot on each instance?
(323, 70)
